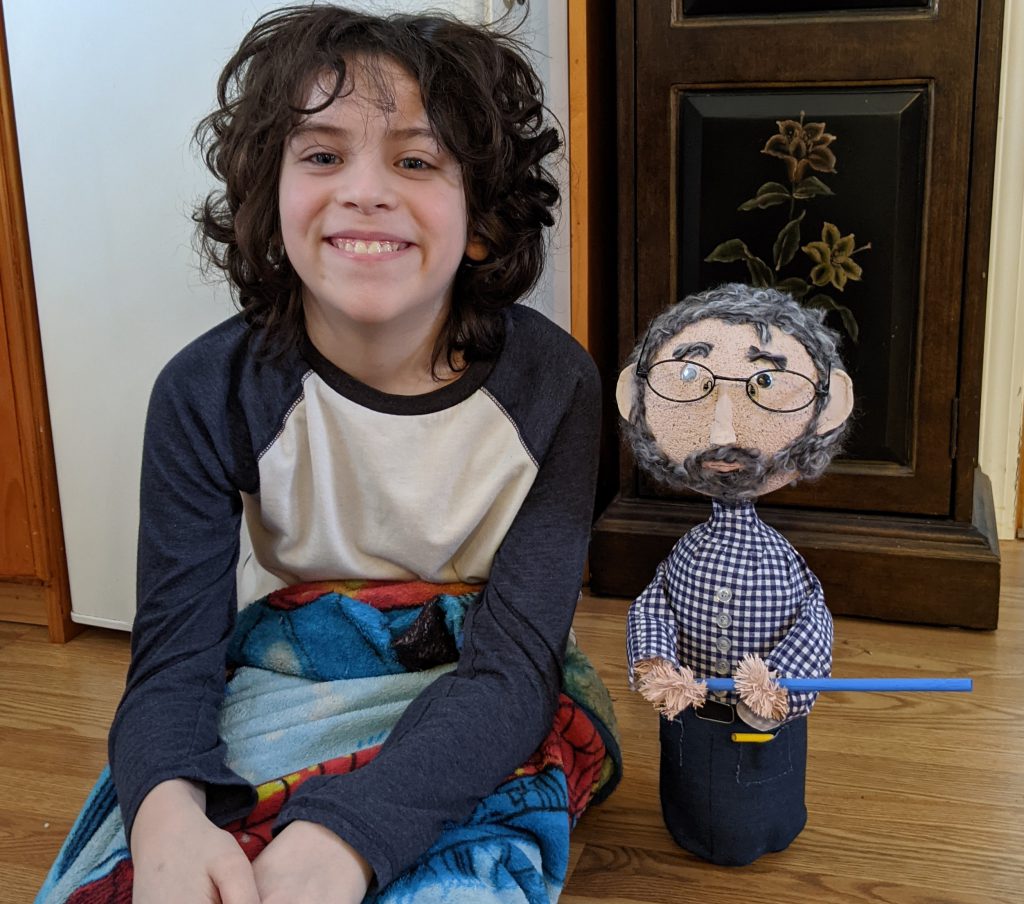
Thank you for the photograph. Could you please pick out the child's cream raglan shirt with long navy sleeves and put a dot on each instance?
(489, 480)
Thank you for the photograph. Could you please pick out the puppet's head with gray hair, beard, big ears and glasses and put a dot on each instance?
(736, 393)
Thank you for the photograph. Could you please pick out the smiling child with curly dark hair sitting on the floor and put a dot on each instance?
(379, 411)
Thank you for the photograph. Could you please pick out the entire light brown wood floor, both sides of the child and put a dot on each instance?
(913, 799)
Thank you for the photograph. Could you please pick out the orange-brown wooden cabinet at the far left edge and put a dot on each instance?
(33, 570)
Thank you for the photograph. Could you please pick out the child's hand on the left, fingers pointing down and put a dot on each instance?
(180, 855)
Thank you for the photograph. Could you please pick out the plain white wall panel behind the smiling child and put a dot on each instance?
(106, 97)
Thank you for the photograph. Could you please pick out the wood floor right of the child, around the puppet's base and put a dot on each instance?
(913, 799)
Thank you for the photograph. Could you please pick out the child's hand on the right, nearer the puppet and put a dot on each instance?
(310, 865)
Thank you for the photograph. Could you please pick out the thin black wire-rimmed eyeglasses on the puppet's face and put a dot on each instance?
(781, 392)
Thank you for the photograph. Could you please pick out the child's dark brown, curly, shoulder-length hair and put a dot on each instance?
(485, 104)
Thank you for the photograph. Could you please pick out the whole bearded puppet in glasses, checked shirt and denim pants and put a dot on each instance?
(735, 393)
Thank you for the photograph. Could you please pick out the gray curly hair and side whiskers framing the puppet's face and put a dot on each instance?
(764, 310)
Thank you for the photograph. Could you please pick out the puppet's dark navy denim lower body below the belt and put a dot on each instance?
(729, 802)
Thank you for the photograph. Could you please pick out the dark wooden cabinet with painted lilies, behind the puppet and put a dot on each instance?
(738, 121)
